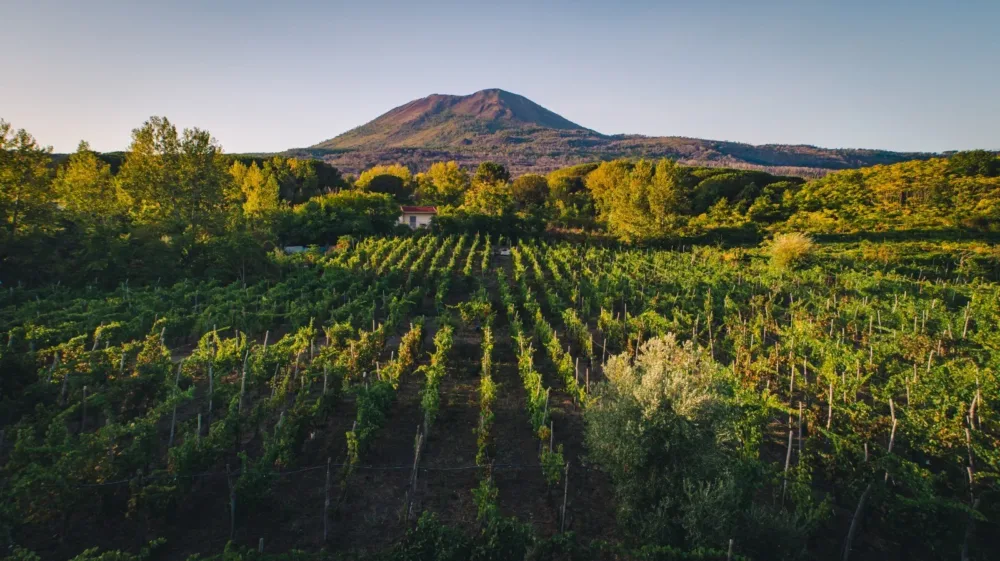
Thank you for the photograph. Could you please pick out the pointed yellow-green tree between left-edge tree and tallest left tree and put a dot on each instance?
(85, 187)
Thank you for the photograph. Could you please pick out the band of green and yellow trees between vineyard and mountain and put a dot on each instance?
(174, 203)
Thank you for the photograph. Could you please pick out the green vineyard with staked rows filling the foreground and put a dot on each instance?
(426, 397)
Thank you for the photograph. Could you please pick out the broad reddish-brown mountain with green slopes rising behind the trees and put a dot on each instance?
(511, 129)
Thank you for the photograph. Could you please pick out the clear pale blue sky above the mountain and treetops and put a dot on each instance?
(267, 76)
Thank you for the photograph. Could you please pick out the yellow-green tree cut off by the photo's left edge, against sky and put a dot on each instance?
(25, 180)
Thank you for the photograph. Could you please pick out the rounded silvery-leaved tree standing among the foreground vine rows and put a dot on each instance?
(654, 428)
